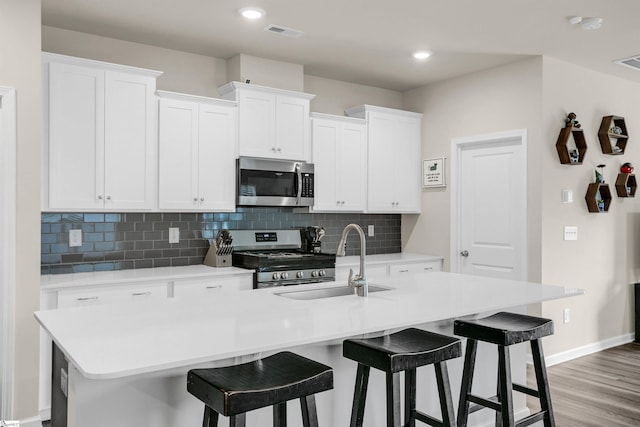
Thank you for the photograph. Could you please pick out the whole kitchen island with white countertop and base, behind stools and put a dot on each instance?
(125, 364)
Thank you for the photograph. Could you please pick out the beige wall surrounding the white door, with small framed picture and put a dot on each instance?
(499, 99)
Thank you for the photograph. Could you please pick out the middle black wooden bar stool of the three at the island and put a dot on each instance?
(403, 351)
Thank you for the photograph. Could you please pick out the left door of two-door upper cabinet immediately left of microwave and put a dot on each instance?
(178, 154)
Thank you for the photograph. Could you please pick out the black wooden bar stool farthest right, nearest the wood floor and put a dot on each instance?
(505, 329)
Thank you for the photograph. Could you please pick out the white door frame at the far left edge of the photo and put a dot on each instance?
(7, 245)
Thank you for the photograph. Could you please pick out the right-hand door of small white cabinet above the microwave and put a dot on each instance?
(292, 128)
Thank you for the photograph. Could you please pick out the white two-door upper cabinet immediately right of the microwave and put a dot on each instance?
(340, 159)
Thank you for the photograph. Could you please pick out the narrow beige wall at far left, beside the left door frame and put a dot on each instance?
(20, 69)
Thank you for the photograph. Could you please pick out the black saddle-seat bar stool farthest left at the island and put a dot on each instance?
(235, 390)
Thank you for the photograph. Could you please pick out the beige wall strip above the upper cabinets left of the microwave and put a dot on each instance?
(183, 72)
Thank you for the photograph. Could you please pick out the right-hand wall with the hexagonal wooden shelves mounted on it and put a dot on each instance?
(605, 260)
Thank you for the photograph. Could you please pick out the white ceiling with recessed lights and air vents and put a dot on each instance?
(370, 41)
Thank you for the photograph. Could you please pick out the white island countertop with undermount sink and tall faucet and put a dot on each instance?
(114, 341)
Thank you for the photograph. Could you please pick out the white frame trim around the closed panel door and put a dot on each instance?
(519, 136)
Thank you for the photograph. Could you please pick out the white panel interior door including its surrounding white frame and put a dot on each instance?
(491, 206)
